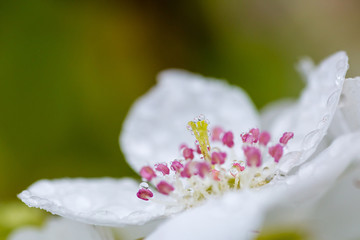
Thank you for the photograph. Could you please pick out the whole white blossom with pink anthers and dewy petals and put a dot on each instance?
(249, 164)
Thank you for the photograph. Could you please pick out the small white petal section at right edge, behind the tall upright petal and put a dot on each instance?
(347, 117)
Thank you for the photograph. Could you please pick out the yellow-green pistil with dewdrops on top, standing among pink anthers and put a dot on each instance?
(200, 131)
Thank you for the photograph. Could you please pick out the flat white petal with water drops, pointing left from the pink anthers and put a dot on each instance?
(105, 202)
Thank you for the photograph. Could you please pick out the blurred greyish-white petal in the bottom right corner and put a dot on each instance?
(337, 216)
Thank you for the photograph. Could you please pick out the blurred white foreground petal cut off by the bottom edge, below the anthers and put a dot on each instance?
(235, 216)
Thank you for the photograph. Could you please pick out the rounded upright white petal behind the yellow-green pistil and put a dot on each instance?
(156, 124)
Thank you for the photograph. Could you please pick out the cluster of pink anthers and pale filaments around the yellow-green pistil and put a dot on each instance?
(203, 171)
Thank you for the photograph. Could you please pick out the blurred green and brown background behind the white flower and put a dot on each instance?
(70, 70)
